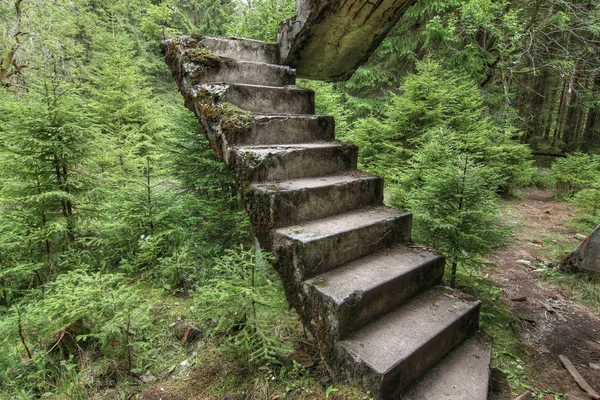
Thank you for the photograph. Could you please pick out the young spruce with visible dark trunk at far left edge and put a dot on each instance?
(47, 143)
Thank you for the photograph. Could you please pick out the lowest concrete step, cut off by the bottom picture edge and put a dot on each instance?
(464, 374)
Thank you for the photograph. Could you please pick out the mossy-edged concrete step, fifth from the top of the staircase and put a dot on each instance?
(274, 163)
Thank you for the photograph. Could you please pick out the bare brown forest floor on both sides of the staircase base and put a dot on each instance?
(550, 319)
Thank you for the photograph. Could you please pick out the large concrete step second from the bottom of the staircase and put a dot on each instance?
(388, 355)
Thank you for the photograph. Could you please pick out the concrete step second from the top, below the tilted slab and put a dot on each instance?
(250, 73)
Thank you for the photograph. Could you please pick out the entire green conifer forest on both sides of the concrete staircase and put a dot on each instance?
(125, 255)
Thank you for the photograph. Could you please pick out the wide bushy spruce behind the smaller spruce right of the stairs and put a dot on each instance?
(432, 99)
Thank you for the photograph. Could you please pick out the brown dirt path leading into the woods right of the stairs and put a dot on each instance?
(550, 322)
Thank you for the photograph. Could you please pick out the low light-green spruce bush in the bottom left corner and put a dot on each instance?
(77, 312)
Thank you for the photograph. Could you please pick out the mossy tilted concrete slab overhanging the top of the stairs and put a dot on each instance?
(329, 39)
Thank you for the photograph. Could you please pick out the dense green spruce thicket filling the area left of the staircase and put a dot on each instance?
(107, 180)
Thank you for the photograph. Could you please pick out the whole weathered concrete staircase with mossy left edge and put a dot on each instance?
(367, 294)
